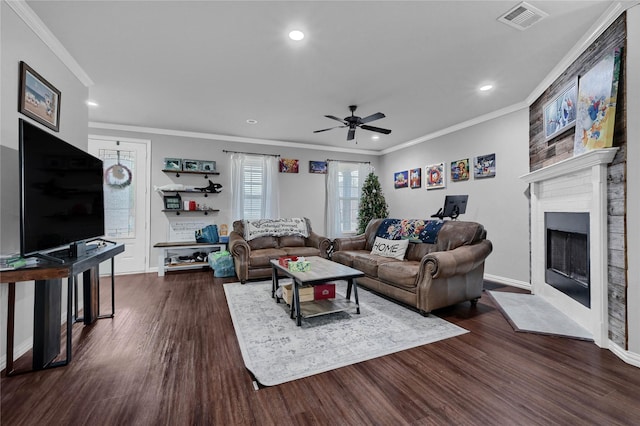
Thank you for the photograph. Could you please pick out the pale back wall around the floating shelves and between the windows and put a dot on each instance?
(301, 194)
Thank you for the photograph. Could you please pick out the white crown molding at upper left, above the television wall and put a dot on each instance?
(33, 21)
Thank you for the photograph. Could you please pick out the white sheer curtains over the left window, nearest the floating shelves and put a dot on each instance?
(254, 187)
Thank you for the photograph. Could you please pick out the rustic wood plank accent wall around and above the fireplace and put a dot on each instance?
(544, 153)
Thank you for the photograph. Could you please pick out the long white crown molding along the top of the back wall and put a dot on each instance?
(226, 138)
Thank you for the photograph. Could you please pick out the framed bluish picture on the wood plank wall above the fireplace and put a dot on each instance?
(560, 114)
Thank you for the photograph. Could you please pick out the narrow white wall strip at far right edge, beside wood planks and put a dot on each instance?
(633, 180)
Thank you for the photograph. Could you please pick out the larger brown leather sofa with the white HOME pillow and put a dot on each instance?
(430, 276)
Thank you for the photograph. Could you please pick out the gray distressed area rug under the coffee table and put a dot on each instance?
(276, 351)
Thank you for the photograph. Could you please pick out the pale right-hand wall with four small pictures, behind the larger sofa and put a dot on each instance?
(499, 203)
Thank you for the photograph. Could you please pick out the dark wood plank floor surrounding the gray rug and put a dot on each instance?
(170, 357)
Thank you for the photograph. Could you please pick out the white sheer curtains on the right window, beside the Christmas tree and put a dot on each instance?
(338, 174)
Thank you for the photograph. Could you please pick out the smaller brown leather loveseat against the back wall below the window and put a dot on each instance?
(251, 258)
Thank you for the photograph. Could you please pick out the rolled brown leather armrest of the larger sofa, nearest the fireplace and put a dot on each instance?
(445, 264)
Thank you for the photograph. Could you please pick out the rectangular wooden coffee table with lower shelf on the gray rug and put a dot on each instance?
(322, 270)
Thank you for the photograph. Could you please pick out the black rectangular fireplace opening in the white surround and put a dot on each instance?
(567, 254)
